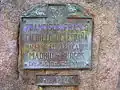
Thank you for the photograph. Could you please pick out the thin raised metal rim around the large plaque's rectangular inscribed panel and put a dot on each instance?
(54, 68)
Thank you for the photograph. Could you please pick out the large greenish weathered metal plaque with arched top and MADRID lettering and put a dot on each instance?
(56, 36)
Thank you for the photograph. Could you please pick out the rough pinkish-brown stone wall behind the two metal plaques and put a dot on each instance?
(106, 47)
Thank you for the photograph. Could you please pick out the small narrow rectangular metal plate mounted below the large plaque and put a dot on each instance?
(61, 80)
